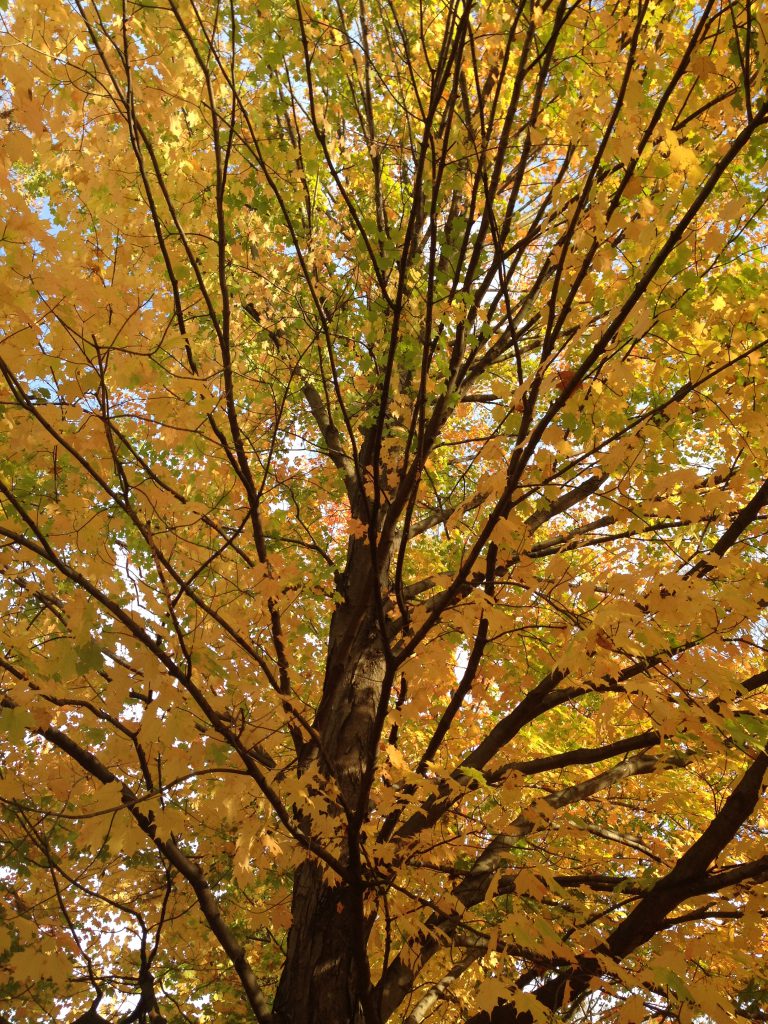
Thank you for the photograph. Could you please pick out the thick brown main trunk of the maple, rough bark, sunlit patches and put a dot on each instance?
(325, 979)
